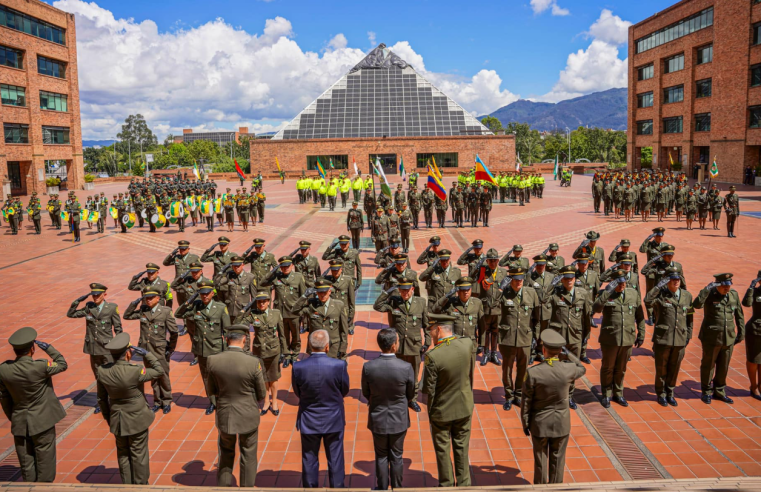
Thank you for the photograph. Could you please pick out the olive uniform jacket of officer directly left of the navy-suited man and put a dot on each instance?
(237, 380)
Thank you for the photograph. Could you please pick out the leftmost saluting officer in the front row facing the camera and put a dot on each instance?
(102, 323)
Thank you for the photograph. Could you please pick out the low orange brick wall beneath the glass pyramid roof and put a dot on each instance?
(497, 151)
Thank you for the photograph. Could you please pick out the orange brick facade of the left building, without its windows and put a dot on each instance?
(31, 157)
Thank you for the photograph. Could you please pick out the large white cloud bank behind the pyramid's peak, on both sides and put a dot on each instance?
(215, 76)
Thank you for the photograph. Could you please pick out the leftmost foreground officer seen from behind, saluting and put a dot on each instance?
(30, 403)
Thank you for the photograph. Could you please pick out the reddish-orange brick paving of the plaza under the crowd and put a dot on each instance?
(43, 274)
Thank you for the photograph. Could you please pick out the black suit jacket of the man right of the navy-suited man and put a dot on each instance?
(388, 383)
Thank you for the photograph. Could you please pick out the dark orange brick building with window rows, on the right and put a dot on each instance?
(695, 87)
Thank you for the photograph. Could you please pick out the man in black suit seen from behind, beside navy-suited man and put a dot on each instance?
(388, 383)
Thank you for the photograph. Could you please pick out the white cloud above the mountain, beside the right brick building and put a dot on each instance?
(598, 67)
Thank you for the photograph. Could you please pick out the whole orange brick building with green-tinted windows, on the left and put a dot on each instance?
(40, 97)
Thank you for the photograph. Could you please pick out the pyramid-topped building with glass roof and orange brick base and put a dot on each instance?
(382, 108)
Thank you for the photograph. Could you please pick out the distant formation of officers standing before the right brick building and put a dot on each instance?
(627, 194)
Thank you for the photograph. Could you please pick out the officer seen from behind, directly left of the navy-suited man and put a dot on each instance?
(234, 378)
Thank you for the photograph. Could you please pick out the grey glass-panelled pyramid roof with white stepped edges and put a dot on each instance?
(382, 96)
